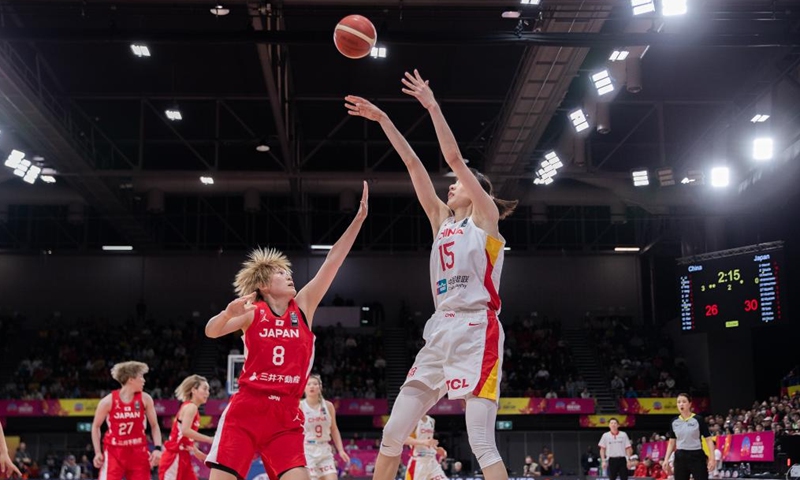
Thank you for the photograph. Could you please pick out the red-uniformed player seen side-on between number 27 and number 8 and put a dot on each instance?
(176, 463)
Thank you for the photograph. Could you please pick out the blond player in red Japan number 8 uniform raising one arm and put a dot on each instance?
(264, 416)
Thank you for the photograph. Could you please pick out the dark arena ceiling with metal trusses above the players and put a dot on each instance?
(268, 74)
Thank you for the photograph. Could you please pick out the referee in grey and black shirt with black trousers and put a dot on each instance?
(686, 436)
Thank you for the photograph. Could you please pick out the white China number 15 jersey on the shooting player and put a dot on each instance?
(465, 267)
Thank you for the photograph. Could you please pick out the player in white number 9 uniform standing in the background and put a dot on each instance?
(320, 427)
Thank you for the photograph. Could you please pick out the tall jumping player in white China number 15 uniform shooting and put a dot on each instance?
(463, 351)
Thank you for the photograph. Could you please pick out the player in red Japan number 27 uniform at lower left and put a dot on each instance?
(126, 412)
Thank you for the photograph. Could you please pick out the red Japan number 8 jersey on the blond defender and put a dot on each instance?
(280, 352)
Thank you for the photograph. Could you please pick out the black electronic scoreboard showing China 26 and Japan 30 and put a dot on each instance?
(719, 291)
